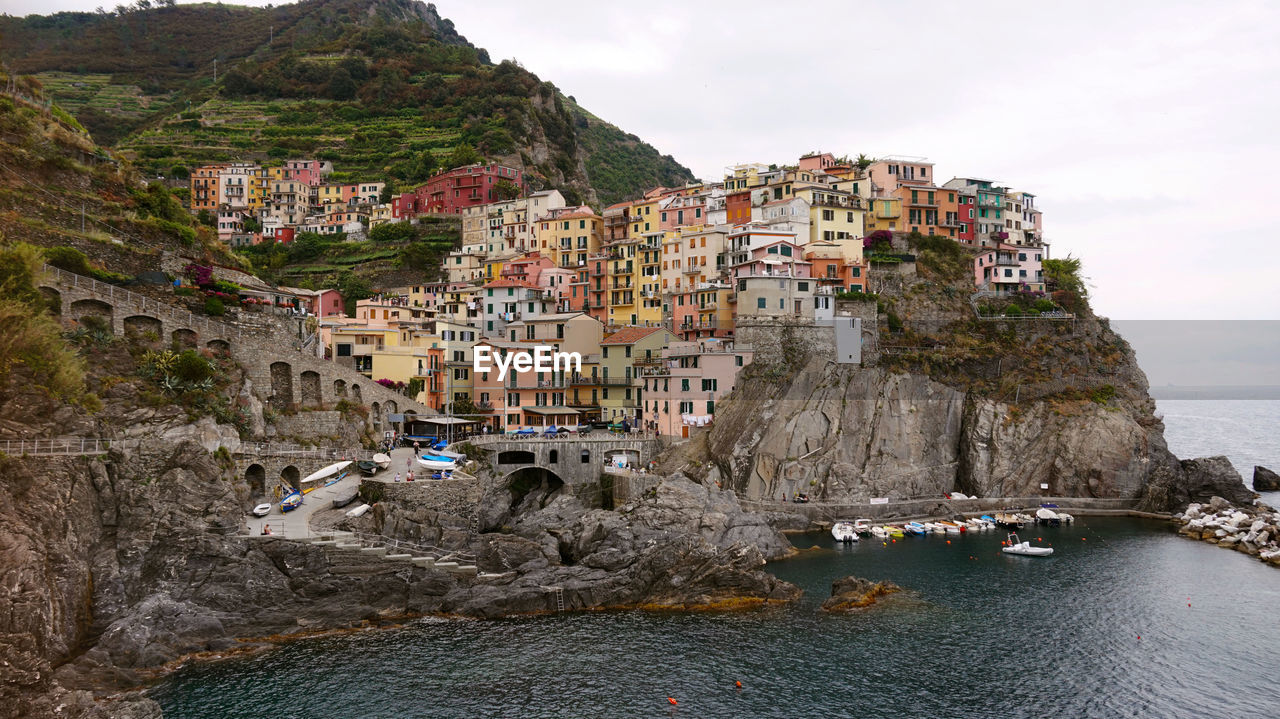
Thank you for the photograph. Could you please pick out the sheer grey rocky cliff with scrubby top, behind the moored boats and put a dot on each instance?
(949, 404)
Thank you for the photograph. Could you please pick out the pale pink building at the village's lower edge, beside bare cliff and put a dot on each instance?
(683, 392)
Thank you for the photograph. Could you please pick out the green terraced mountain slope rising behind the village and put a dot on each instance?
(382, 88)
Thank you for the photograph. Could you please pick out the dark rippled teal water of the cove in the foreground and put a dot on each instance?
(991, 636)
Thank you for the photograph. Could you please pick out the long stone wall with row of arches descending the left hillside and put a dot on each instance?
(281, 375)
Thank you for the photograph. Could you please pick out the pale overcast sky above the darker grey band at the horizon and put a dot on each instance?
(1146, 130)
